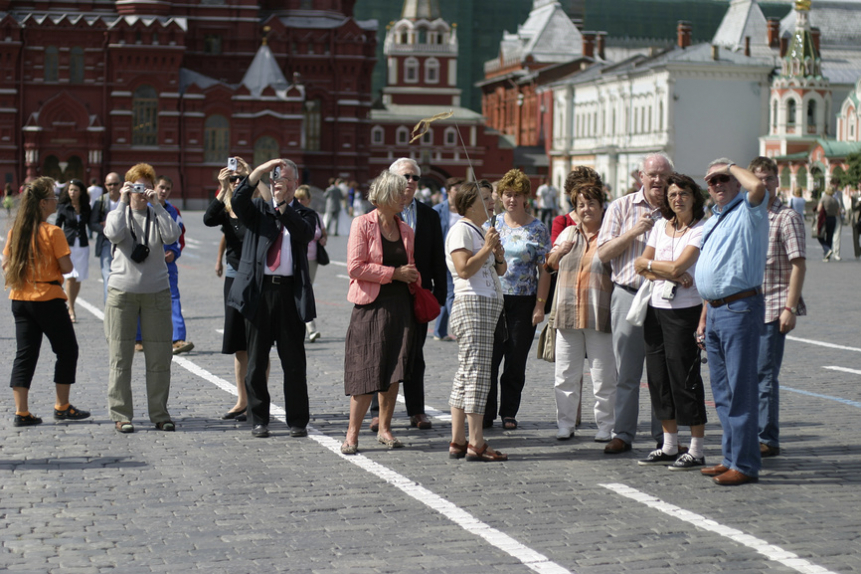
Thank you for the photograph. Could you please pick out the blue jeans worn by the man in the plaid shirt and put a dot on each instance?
(771, 344)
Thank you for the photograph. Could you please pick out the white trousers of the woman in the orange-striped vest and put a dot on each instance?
(572, 348)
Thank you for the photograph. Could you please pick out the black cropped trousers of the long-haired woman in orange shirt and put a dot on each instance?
(32, 320)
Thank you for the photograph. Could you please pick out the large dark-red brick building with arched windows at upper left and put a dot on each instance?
(89, 87)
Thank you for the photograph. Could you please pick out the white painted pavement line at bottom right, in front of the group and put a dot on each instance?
(770, 551)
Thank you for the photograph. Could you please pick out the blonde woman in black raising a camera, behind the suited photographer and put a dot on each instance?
(220, 213)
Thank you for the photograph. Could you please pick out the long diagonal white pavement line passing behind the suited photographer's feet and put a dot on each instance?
(528, 557)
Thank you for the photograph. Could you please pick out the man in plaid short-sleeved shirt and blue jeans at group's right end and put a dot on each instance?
(784, 276)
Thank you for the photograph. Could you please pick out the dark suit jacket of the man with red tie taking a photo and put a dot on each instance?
(261, 220)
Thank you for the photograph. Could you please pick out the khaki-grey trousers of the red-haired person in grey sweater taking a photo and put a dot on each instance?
(121, 318)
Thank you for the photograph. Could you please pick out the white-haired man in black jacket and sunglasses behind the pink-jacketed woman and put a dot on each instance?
(430, 262)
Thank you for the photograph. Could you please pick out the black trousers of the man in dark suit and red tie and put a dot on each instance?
(277, 321)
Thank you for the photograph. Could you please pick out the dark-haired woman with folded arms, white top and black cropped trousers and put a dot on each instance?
(672, 319)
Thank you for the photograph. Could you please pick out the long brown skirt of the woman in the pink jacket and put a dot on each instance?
(379, 343)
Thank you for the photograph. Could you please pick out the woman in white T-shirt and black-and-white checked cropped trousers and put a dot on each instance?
(476, 259)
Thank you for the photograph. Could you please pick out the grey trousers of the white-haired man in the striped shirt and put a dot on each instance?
(630, 352)
